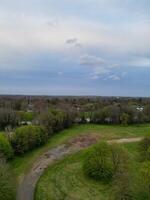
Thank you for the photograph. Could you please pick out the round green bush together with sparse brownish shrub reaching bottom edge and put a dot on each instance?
(109, 162)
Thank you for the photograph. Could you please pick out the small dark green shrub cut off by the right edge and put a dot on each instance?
(144, 149)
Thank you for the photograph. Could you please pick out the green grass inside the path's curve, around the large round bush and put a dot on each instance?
(65, 180)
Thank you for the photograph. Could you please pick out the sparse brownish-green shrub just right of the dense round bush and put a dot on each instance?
(122, 178)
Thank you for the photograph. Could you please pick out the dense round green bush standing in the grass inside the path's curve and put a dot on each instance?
(98, 163)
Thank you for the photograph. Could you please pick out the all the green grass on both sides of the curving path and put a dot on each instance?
(65, 178)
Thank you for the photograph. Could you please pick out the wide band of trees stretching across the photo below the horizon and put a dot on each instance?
(16, 111)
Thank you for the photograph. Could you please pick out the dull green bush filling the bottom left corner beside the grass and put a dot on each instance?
(7, 183)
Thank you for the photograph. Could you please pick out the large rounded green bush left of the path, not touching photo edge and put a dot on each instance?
(27, 138)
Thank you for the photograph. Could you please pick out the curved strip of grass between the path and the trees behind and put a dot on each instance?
(21, 165)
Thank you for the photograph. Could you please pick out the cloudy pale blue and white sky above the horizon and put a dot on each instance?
(75, 47)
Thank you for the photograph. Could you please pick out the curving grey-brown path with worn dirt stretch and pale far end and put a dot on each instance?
(27, 186)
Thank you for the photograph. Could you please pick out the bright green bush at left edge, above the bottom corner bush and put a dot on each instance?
(5, 147)
